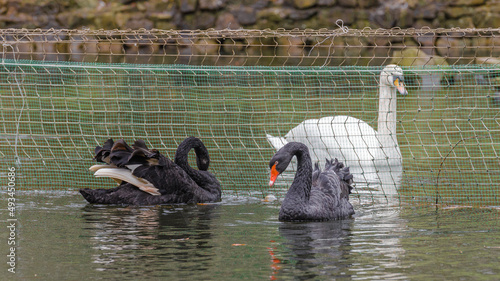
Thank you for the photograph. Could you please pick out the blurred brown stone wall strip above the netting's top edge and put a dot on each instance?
(248, 14)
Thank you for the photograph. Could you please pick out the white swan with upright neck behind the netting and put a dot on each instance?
(373, 156)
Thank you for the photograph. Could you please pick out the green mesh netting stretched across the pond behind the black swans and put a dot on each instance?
(53, 114)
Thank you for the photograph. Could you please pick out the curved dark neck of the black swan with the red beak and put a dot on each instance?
(300, 189)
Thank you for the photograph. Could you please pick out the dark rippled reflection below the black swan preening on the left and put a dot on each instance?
(151, 237)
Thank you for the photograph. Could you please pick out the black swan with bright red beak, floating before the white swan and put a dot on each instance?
(314, 195)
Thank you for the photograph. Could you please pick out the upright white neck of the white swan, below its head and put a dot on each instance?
(386, 129)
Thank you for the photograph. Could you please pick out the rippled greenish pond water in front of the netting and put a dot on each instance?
(61, 237)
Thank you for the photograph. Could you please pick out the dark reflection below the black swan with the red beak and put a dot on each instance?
(318, 247)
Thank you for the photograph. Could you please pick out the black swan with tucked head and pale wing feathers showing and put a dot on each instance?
(148, 178)
